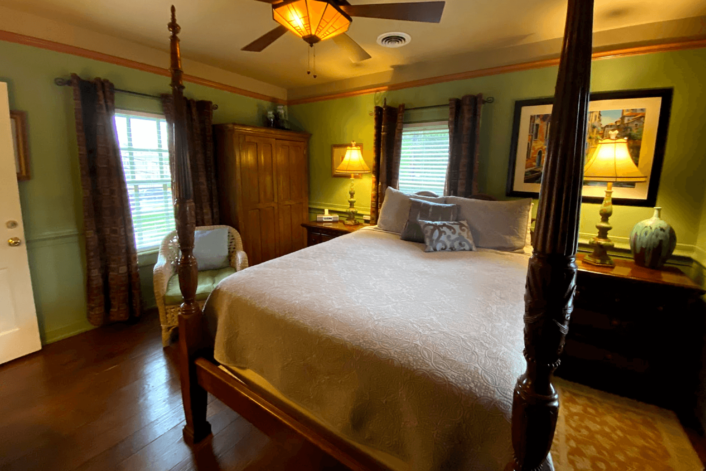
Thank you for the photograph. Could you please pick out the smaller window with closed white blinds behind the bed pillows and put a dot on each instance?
(425, 157)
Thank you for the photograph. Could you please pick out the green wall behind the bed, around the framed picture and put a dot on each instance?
(681, 192)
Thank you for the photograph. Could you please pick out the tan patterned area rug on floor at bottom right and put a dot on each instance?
(600, 431)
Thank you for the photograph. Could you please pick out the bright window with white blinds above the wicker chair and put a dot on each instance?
(143, 147)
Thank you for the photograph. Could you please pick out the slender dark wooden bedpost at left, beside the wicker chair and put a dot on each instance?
(190, 316)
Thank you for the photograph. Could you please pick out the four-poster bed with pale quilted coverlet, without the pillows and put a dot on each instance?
(465, 366)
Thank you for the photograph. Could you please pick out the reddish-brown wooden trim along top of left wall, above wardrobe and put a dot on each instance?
(99, 56)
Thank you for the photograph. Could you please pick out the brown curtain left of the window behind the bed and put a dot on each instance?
(387, 149)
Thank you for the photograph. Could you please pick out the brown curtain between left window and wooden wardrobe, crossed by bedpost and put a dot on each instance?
(199, 119)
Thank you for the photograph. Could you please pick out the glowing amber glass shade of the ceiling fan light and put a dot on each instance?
(311, 20)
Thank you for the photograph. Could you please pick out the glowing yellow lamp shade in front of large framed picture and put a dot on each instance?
(611, 162)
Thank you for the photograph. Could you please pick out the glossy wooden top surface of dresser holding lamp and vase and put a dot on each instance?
(627, 269)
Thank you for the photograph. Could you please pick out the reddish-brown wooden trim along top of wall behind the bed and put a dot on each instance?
(607, 54)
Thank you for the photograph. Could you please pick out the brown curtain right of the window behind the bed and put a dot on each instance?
(464, 138)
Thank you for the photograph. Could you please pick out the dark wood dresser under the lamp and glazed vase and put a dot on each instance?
(636, 332)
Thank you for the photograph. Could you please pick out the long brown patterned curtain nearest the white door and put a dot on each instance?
(113, 281)
